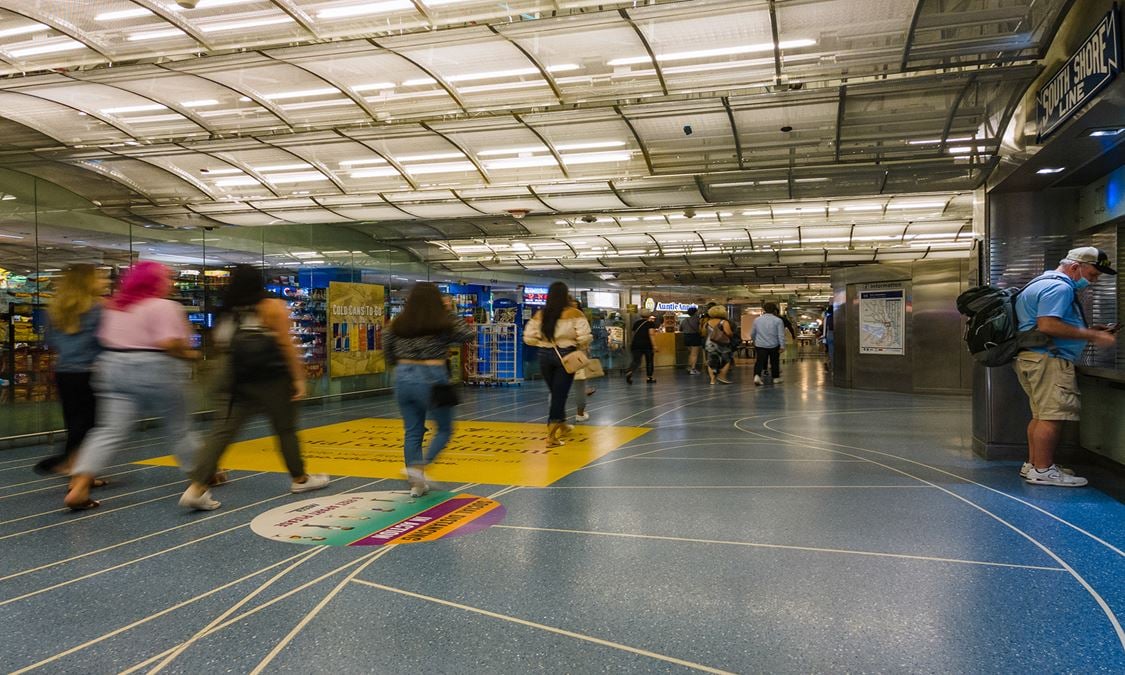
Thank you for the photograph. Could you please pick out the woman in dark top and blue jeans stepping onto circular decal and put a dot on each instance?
(418, 345)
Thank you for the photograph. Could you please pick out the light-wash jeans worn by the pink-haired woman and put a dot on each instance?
(129, 385)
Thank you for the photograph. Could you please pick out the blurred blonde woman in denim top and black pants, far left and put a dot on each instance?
(74, 336)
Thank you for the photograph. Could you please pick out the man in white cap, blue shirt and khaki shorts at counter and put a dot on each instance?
(1050, 305)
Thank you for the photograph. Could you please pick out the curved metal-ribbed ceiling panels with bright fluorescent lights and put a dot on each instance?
(430, 122)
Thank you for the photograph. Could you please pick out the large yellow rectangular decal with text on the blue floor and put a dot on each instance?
(491, 453)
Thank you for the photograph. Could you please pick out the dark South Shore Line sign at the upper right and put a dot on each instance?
(1093, 67)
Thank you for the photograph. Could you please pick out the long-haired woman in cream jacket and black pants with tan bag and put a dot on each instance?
(557, 330)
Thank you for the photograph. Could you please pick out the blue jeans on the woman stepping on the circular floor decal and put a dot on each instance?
(413, 385)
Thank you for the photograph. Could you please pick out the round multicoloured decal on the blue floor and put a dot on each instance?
(379, 519)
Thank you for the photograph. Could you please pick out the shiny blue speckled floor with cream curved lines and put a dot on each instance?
(789, 529)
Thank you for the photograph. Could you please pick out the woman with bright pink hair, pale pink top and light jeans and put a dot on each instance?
(146, 367)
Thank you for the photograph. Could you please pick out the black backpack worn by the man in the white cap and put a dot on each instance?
(993, 332)
